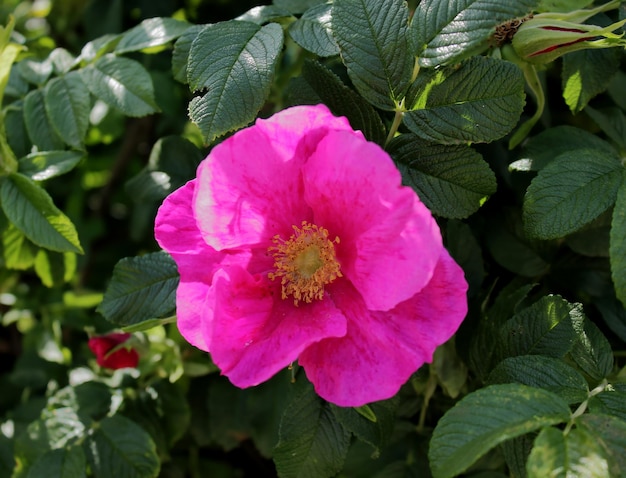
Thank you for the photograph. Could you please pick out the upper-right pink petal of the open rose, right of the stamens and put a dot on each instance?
(389, 240)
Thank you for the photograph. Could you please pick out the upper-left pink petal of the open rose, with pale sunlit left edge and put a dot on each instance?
(250, 186)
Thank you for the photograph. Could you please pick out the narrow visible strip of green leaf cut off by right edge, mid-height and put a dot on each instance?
(617, 247)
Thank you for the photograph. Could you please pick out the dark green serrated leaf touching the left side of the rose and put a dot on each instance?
(141, 288)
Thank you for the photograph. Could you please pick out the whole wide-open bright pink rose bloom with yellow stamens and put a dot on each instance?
(297, 241)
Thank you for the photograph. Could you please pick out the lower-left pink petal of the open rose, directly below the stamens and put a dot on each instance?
(259, 333)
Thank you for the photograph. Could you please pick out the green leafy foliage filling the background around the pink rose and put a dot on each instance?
(109, 105)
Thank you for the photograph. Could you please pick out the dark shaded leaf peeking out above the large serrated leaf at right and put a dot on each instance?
(540, 150)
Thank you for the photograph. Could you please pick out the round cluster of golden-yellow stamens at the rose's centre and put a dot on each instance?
(305, 262)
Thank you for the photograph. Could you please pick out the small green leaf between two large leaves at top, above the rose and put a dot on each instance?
(313, 31)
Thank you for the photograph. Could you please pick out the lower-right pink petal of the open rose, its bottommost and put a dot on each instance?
(382, 349)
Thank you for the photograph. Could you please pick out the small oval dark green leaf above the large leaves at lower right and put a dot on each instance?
(592, 352)
